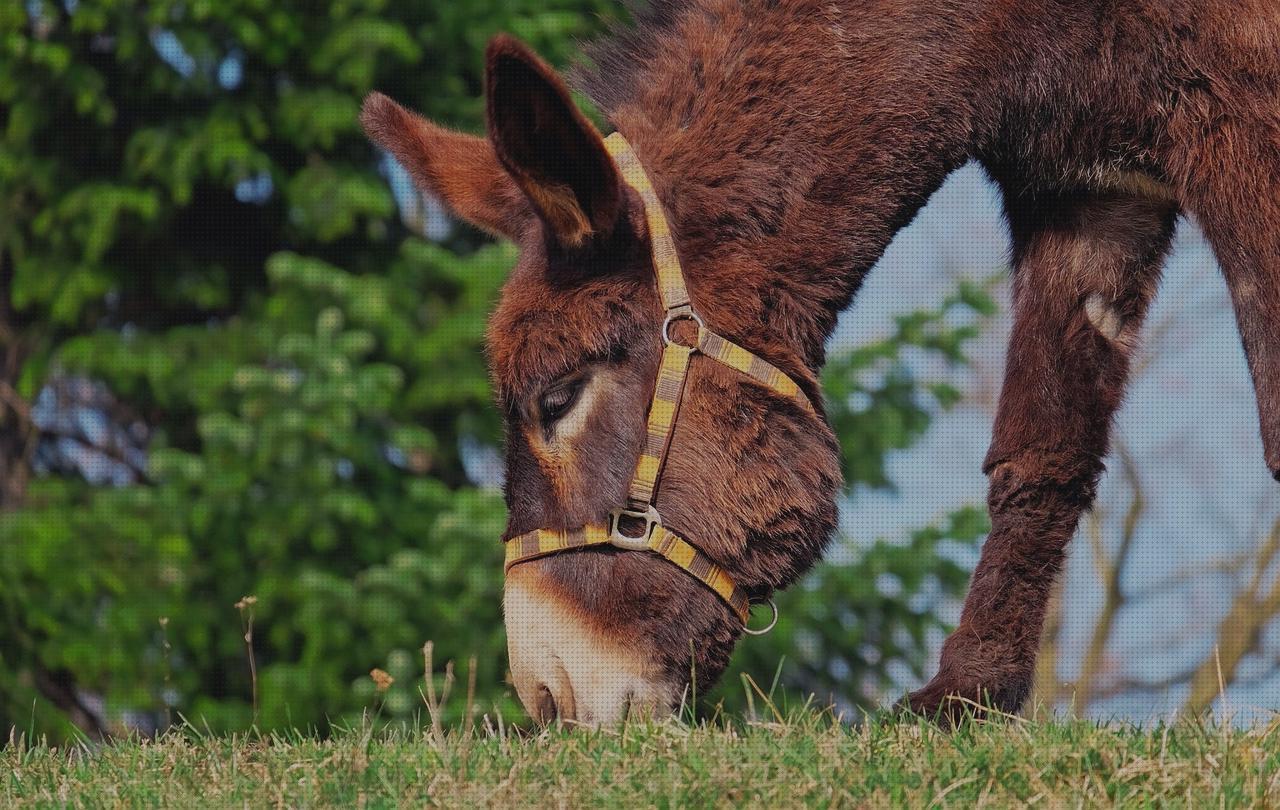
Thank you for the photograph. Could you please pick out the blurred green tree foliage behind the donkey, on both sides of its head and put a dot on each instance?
(280, 377)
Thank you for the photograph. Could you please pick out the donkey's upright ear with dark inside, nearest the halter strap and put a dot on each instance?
(550, 148)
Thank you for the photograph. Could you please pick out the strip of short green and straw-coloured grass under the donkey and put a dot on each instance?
(808, 761)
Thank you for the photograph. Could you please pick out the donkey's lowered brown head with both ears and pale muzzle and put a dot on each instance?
(575, 347)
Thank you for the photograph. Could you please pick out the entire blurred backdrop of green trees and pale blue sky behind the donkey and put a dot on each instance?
(249, 455)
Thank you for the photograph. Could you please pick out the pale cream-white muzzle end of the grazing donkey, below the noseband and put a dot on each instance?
(566, 669)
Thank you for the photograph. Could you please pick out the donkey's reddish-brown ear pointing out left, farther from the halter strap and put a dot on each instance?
(463, 171)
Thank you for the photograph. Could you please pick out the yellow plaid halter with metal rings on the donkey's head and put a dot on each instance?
(642, 496)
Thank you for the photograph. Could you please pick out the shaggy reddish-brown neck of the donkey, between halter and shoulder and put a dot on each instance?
(789, 143)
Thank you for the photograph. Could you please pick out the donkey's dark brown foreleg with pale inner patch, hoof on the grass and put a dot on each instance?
(1086, 269)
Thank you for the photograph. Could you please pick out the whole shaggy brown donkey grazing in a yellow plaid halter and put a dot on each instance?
(787, 143)
